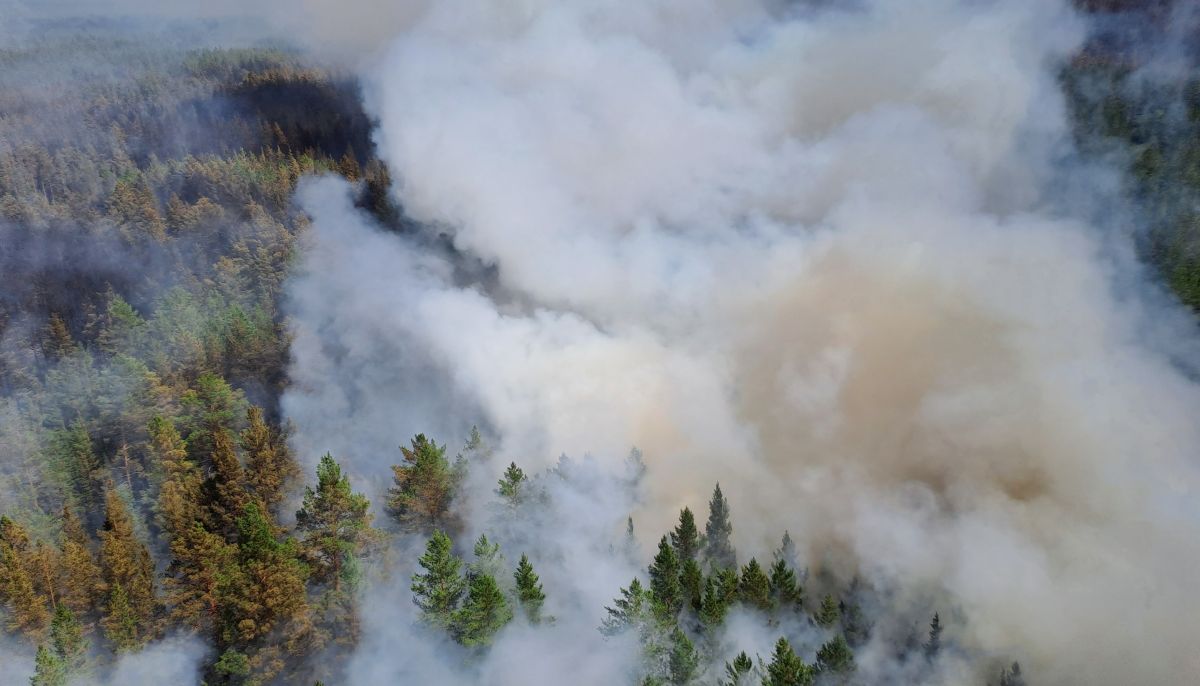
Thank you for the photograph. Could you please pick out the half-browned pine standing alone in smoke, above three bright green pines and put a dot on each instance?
(423, 488)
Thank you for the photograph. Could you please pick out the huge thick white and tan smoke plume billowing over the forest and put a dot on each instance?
(808, 252)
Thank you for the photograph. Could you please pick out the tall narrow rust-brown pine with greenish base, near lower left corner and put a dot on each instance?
(129, 571)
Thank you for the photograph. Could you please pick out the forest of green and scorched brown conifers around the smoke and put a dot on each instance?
(149, 485)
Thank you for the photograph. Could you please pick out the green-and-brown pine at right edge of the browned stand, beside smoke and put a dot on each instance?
(335, 525)
